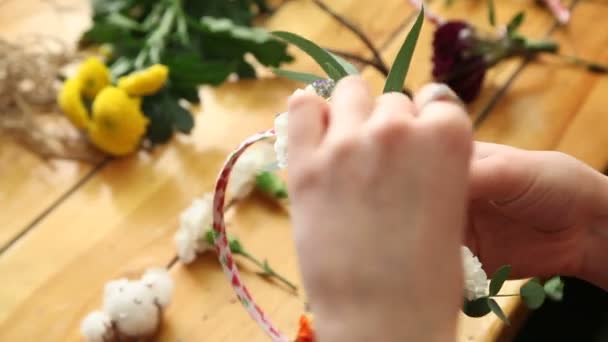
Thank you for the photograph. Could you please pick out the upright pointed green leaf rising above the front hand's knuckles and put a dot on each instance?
(398, 73)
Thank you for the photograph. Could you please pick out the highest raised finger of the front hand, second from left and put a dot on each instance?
(351, 105)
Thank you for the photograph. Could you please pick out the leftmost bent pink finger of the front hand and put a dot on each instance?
(307, 124)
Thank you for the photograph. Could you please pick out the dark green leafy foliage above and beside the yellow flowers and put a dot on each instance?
(202, 42)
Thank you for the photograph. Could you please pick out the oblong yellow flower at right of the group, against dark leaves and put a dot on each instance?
(145, 82)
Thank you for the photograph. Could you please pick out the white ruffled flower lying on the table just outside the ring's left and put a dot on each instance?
(195, 222)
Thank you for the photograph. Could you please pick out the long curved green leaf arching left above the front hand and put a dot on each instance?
(325, 60)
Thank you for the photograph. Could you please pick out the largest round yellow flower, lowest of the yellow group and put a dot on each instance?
(117, 124)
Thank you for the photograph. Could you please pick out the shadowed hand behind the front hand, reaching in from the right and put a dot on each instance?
(544, 213)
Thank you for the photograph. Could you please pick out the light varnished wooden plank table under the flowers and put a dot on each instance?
(66, 228)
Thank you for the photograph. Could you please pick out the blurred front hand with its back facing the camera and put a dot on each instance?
(378, 195)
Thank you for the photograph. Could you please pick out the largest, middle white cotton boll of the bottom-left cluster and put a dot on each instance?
(133, 309)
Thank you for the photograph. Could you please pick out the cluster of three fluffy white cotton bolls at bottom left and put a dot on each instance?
(131, 308)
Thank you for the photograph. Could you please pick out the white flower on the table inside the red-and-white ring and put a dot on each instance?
(245, 171)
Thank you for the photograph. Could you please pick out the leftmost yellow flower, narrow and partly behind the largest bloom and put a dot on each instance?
(70, 102)
